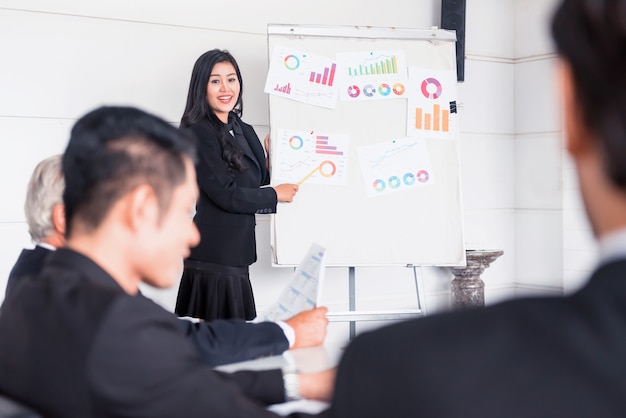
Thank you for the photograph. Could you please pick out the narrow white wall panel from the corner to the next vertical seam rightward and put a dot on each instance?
(537, 155)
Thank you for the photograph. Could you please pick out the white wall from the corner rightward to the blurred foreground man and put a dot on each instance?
(555, 247)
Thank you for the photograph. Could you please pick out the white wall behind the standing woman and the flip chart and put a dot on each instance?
(61, 58)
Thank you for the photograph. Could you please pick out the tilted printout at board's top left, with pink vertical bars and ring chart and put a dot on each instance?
(303, 77)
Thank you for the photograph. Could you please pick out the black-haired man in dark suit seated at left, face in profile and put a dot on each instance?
(79, 340)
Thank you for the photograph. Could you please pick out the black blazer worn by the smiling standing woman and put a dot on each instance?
(227, 203)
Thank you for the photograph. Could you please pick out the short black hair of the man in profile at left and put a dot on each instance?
(111, 151)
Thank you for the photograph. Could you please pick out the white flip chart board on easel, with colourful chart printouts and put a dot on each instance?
(418, 227)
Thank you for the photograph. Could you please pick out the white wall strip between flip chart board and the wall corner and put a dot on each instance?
(487, 139)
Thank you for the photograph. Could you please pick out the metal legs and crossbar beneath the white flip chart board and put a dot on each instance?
(353, 315)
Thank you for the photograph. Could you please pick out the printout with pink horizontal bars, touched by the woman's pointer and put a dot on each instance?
(311, 157)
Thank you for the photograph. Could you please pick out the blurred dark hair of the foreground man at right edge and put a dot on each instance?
(590, 36)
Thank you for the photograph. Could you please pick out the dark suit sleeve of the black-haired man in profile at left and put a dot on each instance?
(142, 365)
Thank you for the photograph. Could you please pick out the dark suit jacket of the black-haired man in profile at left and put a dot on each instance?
(74, 344)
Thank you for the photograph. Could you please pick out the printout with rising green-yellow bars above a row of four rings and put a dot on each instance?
(372, 75)
